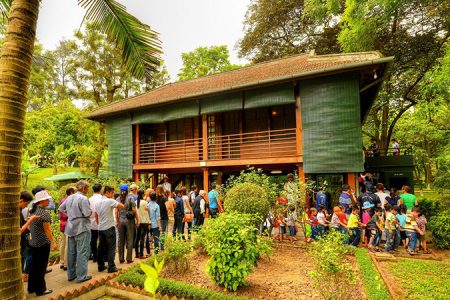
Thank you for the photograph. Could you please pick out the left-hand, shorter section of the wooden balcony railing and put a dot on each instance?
(171, 151)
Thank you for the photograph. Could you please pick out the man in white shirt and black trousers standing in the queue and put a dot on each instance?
(104, 217)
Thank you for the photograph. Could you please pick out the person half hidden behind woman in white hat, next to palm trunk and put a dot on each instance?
(25, 254)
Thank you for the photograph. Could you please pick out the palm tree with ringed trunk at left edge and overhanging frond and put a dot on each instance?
(141, 49)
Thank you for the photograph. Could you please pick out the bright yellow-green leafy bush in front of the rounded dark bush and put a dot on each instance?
(234, 246)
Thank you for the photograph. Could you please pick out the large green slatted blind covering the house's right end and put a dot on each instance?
(332, 141)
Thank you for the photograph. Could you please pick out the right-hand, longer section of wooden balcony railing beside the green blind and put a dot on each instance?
(261, 144)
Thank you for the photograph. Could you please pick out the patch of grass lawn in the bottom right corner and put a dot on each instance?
(422, 279)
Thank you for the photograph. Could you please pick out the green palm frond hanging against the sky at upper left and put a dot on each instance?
(140, 44)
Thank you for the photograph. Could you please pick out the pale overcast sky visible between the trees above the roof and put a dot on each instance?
(183, 25)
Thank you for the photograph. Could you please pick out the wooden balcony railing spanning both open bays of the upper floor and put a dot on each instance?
(261, 144)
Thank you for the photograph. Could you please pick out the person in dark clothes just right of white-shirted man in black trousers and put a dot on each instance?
(128, 221)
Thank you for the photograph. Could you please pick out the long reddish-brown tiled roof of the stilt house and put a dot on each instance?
(272, 71)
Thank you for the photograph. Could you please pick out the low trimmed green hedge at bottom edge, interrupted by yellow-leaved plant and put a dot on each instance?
(172, 288)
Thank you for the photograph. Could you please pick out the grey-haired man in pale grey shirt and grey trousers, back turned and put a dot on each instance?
(78, 231)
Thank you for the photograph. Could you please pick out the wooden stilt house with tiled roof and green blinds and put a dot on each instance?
(301, 113)
